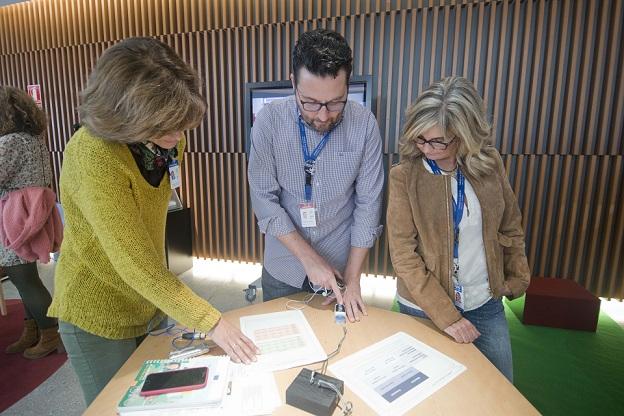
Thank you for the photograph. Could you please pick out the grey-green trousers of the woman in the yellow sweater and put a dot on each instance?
(96, 359)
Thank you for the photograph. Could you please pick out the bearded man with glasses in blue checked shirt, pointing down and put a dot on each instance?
(316, 178)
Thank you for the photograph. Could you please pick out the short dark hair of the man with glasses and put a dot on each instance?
(322, 52)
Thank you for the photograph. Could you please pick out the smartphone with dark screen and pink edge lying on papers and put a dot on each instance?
(173, 381)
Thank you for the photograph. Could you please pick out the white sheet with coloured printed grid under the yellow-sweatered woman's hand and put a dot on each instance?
(285, 339)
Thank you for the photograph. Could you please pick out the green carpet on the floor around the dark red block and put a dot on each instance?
(565, 372)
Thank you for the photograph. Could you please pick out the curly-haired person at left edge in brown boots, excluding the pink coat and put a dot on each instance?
(25, 163)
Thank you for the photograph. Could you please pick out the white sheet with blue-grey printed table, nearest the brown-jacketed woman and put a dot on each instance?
(396, 374)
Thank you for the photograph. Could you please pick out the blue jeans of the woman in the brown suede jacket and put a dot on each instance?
(490, 321)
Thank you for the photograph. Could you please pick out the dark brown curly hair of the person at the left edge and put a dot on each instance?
(19, 113)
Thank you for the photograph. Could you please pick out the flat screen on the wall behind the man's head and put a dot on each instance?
(257, 94)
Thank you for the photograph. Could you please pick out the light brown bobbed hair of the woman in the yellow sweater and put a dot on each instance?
(140, 90)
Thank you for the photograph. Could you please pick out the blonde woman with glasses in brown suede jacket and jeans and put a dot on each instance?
(455, 230)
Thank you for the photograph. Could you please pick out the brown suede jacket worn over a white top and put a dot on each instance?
(420, 232)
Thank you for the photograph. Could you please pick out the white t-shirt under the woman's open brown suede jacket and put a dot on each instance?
(473, 274)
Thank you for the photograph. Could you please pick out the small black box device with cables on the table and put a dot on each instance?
(313, 393)
